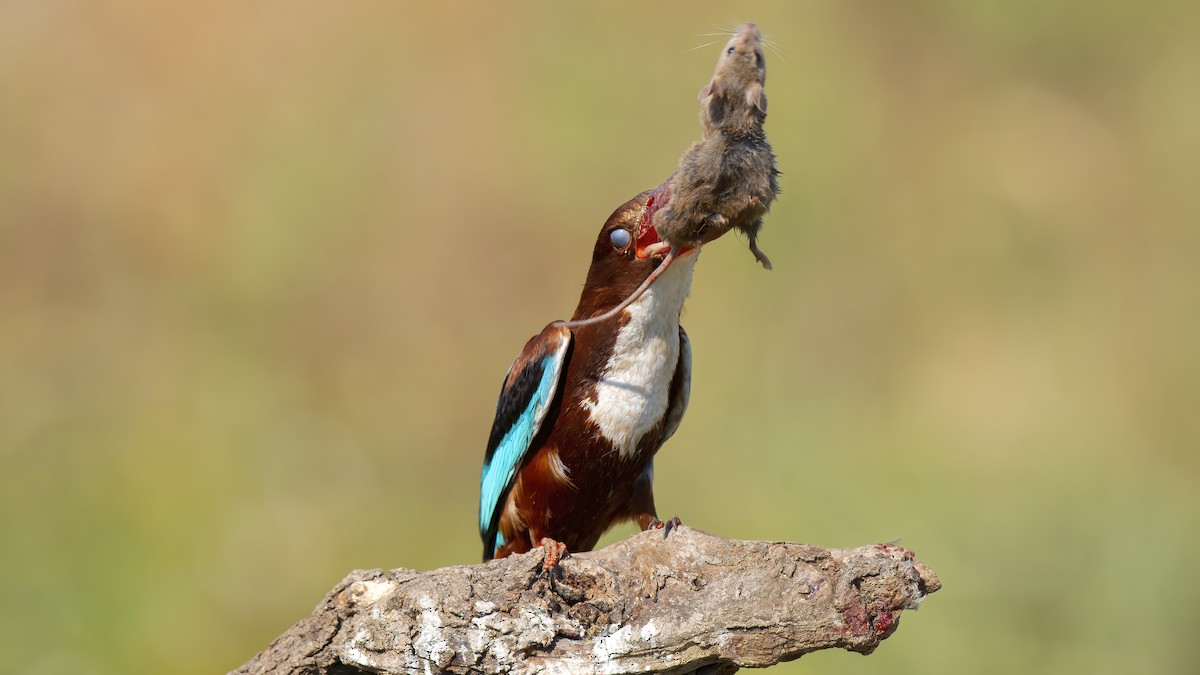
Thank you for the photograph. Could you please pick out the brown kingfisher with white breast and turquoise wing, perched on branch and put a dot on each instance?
(589, 403)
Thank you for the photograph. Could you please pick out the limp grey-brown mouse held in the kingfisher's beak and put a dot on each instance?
(728, 181)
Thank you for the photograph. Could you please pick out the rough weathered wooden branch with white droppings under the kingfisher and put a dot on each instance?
(687, 604)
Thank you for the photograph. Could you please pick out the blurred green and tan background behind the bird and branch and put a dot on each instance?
(265, 265)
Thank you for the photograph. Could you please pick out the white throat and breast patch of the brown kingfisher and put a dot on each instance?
(633, 393)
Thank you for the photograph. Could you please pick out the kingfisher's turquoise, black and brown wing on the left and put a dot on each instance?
(530, 391)
